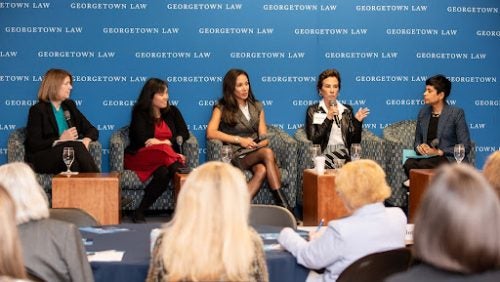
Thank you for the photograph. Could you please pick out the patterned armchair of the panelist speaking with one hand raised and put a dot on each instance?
(371, 144)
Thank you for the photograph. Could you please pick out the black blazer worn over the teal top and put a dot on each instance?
(42, 128)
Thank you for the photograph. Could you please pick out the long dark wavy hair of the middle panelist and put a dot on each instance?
(230, 104)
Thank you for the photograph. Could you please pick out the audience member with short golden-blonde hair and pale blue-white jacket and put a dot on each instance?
(370, 228)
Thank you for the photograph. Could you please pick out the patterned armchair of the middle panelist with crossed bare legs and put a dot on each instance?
(285, 151)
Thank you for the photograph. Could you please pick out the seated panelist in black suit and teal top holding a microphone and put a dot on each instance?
(54, 123)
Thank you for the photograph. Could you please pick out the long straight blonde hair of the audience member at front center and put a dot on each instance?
(209, 238)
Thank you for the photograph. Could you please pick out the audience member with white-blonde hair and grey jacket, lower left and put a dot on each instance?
(52, 249)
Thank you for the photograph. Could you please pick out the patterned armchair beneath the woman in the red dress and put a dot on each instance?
(131, 187)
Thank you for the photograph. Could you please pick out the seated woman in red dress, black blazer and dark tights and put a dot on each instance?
(153, 150)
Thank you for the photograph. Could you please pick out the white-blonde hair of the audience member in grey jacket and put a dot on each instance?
(29, 197)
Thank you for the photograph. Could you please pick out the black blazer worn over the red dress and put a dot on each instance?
(142, 128)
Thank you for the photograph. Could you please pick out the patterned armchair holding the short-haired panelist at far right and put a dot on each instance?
(398, 136)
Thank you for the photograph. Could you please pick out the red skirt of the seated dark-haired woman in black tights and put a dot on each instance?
(148, 159)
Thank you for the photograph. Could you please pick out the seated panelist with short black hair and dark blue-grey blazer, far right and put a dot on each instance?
(439, 127)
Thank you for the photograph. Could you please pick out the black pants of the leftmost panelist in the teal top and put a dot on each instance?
(50, 161)
